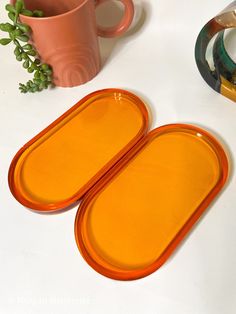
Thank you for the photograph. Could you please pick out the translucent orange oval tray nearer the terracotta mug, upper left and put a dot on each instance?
(65, 160)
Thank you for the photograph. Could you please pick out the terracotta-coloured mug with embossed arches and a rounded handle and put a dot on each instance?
(67, 37)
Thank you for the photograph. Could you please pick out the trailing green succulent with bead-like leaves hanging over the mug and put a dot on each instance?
(19, 34)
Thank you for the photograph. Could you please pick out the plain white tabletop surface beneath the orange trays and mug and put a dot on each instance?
(41, 270)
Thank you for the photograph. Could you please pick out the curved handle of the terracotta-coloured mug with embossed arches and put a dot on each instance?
(124, 23)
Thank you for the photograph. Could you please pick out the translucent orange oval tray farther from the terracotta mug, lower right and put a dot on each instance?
(134, 218)
